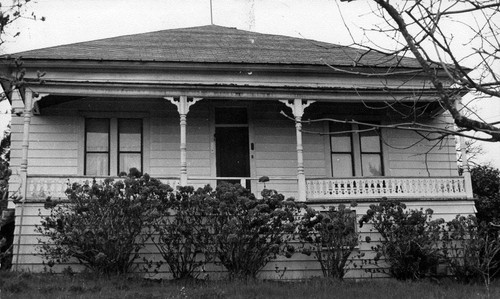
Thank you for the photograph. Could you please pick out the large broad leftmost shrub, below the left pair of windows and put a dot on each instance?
(101, 224)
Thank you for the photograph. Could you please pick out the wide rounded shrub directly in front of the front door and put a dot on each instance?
(246, 232)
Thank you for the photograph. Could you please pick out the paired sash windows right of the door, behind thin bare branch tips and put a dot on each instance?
(355, 151)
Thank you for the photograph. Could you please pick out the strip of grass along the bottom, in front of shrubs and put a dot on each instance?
(28, 285)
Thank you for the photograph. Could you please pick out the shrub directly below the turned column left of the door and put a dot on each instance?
(179, 230)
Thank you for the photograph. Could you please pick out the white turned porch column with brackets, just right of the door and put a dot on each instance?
(298, 107)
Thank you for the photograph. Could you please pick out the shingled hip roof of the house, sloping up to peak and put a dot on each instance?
(217, 44)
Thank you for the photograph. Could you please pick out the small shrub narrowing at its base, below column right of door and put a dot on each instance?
(332, 236)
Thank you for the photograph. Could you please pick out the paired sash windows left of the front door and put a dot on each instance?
(112, 145)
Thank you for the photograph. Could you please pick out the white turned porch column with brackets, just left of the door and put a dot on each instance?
(183, 105)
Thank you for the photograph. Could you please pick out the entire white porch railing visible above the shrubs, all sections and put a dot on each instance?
(39, 187)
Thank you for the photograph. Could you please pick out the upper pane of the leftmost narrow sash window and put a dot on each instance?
(97, 134)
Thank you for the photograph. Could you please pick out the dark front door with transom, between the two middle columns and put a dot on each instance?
(232, 144)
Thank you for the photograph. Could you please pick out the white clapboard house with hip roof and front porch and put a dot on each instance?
(199, 105)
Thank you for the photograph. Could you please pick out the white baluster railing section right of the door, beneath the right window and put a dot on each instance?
(396, 187)
